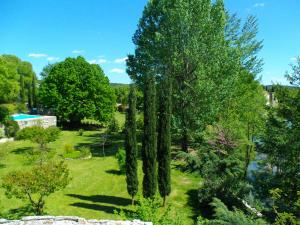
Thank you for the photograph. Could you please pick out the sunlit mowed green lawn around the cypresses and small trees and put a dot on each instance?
(96, 189)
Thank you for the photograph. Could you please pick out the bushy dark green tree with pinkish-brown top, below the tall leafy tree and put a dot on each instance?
(222, 168)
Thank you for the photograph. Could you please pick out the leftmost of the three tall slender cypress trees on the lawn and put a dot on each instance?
(131, 145)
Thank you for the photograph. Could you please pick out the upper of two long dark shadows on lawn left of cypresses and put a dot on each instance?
(106, 199)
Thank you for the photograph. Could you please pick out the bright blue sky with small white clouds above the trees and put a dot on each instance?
(46, 31)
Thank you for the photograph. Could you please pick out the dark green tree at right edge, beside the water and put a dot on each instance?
(280, 144)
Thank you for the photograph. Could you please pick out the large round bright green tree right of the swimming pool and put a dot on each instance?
(75, 89)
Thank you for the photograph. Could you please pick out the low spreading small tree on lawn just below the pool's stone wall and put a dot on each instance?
(39, 135)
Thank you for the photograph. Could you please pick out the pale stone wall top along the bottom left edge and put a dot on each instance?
(67, 220)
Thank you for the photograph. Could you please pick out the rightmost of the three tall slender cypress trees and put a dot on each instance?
(164, 139)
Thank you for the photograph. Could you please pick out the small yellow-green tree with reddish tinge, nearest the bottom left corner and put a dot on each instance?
(36, 184)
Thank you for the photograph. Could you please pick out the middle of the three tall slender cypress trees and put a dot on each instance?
(149, 138)
